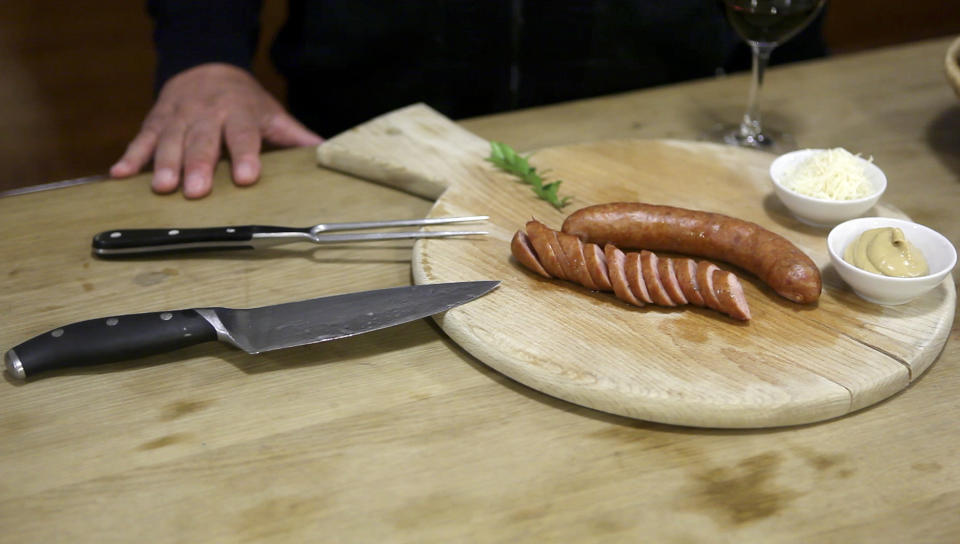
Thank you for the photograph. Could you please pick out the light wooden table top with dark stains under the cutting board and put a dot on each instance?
(399, 435)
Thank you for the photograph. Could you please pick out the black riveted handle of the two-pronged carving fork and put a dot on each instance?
(140, 241)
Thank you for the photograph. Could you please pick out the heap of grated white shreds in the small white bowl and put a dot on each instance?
(833, 174)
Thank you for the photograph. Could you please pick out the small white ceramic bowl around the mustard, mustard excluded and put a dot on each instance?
(940, 254)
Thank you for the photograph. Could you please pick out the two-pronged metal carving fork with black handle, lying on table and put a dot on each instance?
(121, 242)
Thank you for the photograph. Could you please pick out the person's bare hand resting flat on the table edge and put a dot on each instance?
(198, 110)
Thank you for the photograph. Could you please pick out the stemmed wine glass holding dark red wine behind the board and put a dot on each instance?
(764, 24)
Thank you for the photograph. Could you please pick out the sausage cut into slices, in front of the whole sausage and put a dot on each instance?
(638, 278)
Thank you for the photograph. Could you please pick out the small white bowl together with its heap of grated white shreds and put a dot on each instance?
(824, 187)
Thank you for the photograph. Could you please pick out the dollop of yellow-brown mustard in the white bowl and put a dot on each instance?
(886, 251)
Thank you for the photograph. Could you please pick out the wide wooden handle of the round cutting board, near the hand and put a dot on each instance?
(415, 149)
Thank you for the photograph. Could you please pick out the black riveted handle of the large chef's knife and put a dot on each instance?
(107, 340)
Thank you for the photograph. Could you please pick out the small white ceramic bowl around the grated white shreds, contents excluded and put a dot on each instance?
(820, 212)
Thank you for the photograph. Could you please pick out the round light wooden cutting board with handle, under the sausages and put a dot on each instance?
(791, 364)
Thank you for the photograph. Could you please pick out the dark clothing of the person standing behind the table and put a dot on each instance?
(349, 60)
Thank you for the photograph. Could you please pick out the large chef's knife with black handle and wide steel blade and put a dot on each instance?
(253, 330)
